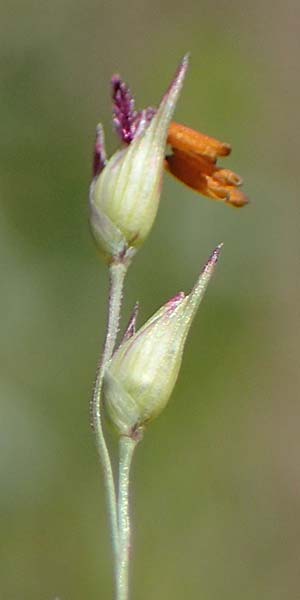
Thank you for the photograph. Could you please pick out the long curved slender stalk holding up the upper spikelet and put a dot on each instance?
(117, 274)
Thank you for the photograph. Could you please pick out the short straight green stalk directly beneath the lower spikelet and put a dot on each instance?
(126, 449)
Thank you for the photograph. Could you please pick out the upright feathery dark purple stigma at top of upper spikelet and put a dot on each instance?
(124, 114)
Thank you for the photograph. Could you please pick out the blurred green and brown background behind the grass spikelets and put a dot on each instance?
(216, 486)
